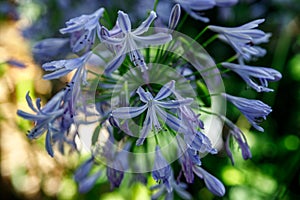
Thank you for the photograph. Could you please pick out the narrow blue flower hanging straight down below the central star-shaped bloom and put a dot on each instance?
(162, 170)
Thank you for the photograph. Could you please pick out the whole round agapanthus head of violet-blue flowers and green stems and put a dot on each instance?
(140, 124)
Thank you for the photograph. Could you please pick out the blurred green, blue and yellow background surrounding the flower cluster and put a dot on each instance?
(27, 172)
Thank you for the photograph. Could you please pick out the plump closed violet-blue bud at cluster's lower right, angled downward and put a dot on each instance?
(211, 182)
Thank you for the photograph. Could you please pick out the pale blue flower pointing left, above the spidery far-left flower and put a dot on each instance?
(63, 67)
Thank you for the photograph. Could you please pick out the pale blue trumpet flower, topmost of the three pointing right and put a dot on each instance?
(244, 38)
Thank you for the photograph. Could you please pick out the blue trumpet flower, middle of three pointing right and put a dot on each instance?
(249, 73)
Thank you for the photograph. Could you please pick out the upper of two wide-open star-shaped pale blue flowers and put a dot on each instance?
(130, 41)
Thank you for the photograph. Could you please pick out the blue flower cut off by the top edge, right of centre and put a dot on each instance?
(194, 7)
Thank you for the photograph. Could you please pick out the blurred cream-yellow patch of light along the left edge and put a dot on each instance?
(24, 167)
